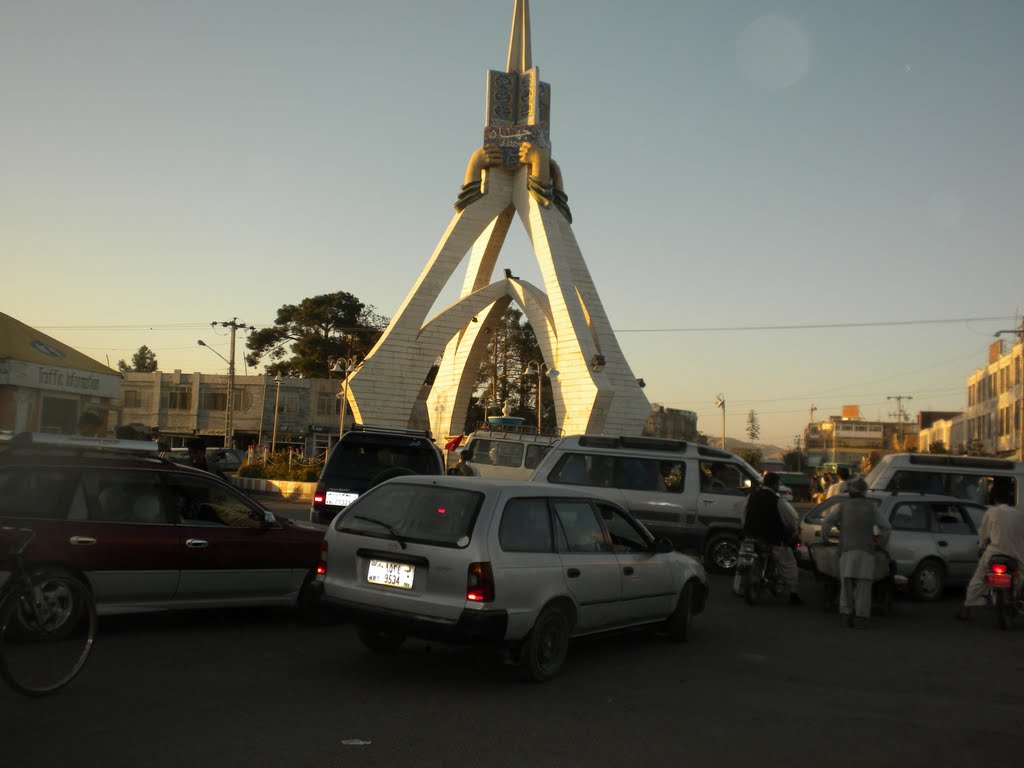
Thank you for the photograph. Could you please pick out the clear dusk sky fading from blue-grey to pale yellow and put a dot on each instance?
(792, 204)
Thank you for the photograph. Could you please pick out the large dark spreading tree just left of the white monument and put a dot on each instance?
(307, 338)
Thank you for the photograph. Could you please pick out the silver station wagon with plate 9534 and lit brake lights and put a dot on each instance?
(521, 566)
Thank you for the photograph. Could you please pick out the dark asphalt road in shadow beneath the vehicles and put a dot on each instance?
(772, 685)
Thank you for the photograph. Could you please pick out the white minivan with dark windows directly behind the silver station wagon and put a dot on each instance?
(693, 495)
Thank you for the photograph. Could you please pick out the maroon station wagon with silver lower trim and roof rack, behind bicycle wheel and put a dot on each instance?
(146, 534)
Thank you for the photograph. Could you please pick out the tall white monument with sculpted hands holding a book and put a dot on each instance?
(513, 175)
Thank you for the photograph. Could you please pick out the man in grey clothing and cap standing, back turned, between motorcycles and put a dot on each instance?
(858, 519)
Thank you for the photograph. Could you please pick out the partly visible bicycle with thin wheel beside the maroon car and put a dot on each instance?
(48, 624)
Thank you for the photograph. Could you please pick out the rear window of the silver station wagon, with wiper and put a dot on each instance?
(426, 515)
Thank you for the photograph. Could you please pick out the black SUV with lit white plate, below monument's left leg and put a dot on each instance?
(366, 457)
